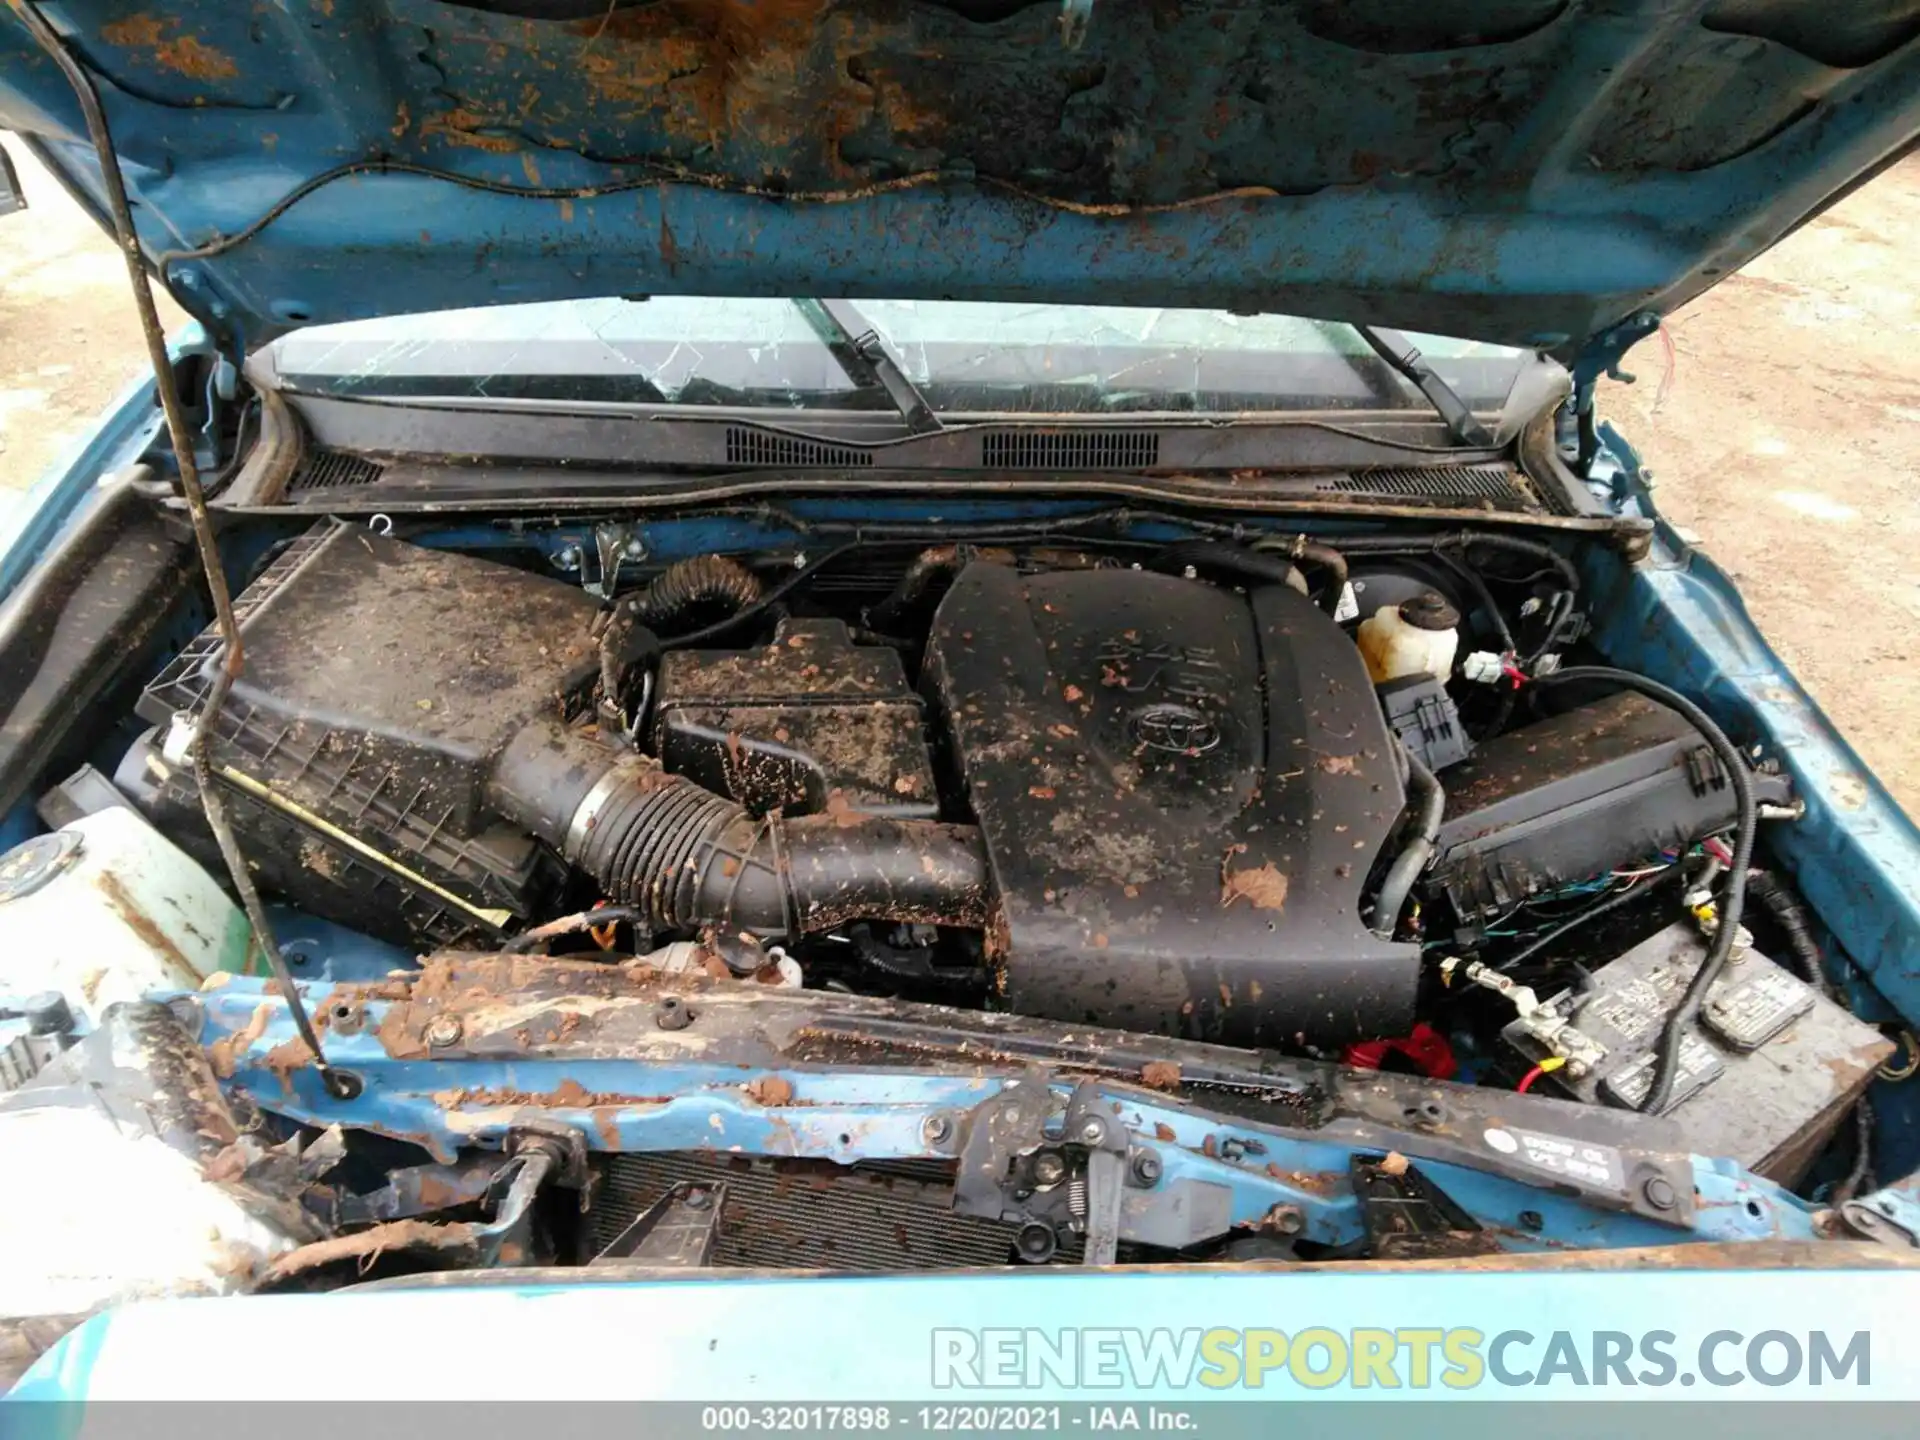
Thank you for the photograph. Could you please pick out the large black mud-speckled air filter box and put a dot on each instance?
(381, 681)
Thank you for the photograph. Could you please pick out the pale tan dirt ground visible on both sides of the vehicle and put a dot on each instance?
(1783, 429)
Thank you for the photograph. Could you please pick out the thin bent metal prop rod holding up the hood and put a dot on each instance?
(339, 1084)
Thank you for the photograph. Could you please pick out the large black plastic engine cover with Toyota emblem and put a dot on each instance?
(1182, 792)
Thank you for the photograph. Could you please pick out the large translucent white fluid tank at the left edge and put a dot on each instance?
(110, 909)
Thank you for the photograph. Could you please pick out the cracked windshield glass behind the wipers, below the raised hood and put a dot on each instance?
(965, 358)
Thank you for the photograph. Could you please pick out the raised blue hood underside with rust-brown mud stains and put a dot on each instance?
(1525, 172)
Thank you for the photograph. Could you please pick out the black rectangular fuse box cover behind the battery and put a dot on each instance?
(1570, 798)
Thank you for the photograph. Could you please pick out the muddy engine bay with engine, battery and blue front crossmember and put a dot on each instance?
(1333, 830)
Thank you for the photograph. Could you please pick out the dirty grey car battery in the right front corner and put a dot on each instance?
(1767, 1072)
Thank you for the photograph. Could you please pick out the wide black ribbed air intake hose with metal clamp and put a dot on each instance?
(690, 859)
